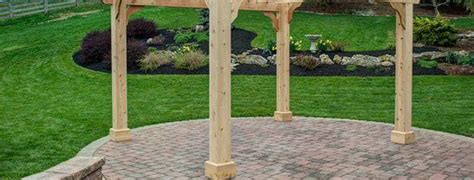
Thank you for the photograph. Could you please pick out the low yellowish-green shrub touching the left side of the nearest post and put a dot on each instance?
(191, 60)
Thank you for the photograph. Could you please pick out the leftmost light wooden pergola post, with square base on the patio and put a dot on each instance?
(119, 130)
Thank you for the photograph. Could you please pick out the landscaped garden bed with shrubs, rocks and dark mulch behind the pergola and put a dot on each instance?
(184, 51)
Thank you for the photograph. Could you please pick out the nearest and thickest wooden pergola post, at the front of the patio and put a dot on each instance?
(220, 164)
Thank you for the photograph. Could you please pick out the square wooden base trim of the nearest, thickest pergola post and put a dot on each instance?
(220, 171)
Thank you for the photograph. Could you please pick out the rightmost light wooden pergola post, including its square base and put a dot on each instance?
(402, 133)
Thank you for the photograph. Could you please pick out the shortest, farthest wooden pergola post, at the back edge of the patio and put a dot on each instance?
(283, 112)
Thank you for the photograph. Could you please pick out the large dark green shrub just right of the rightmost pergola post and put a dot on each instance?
(434, 31)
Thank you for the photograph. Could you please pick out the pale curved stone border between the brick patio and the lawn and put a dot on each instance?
(90, 149)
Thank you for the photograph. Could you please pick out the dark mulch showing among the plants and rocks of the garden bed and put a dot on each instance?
(241, 42)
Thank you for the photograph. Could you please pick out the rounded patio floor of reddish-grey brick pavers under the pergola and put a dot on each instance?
(304, 148)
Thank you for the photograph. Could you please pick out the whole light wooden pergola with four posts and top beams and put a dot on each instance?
(222, 14)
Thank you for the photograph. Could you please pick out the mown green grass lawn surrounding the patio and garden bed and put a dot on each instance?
(50, 108)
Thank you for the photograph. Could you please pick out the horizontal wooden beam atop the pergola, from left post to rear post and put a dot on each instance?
(245, 5)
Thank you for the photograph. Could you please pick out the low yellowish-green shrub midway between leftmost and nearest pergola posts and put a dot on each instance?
(155, 59)
